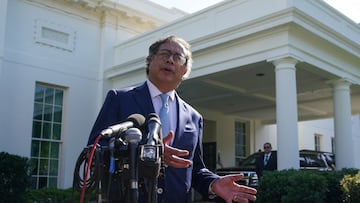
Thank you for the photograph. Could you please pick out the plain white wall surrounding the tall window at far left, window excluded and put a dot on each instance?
(78, 48)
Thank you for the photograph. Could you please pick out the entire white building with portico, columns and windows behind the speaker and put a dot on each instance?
(257, 76)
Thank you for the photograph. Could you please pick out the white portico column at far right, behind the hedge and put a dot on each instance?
(344, 149)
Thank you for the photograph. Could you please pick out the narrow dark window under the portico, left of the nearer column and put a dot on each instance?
(240, 142)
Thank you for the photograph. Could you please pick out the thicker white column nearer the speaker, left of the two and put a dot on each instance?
(286, 114)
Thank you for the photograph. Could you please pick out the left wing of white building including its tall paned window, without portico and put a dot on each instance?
(52, 57)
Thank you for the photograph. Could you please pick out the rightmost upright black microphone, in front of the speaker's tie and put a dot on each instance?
(154, 129)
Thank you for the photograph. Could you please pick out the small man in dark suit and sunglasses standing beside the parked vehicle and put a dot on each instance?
(267, 160)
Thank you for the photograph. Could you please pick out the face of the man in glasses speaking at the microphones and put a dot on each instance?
(165, 68)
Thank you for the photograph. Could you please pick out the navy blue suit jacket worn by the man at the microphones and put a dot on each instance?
(119, 104)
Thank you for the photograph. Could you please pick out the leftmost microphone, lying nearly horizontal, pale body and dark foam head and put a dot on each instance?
(134, 120)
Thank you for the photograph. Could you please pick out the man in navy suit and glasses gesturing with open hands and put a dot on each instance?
(168, 63)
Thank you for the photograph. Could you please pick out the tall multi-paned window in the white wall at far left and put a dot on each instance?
(46, 136)
